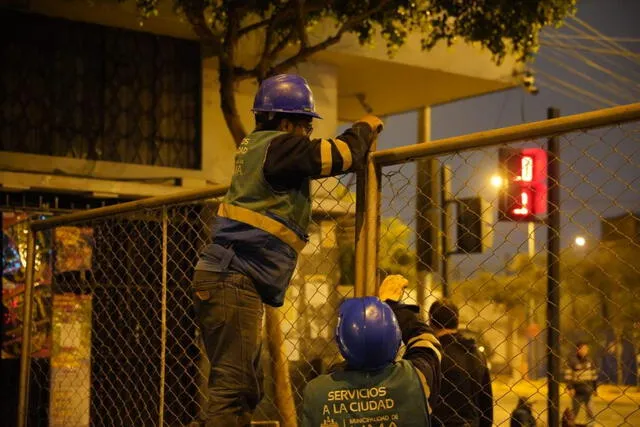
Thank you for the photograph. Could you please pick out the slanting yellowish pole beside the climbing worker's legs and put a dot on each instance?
(280, 369)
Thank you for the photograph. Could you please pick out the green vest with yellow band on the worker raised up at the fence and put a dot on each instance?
(251, 198)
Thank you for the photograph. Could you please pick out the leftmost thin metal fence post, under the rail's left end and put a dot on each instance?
(25, 352)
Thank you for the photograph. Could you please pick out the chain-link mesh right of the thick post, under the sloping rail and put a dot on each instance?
(502, 292)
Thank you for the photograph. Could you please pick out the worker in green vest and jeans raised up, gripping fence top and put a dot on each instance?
(260, 229)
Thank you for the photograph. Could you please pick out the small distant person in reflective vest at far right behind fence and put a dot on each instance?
(581, 376)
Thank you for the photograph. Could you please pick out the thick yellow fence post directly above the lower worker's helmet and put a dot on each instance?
(372, 227)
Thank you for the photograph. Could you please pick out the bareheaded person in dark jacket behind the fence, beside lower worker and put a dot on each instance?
(466, 398)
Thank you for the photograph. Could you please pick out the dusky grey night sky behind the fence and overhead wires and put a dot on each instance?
(600, 169)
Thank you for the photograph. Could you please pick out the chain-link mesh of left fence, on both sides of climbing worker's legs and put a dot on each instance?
(124, 347)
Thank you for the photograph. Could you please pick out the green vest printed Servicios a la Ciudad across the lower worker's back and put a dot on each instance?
(391, 397)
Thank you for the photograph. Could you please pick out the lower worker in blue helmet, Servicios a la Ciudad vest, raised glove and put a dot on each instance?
(372, 388)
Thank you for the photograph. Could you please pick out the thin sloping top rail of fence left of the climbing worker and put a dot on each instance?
(148, 203)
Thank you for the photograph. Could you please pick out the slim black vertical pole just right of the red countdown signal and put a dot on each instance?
(553, 278)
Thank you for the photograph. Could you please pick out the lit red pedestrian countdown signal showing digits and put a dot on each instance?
(523, 196)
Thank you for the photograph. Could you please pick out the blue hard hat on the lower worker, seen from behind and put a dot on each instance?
(368, 334)
